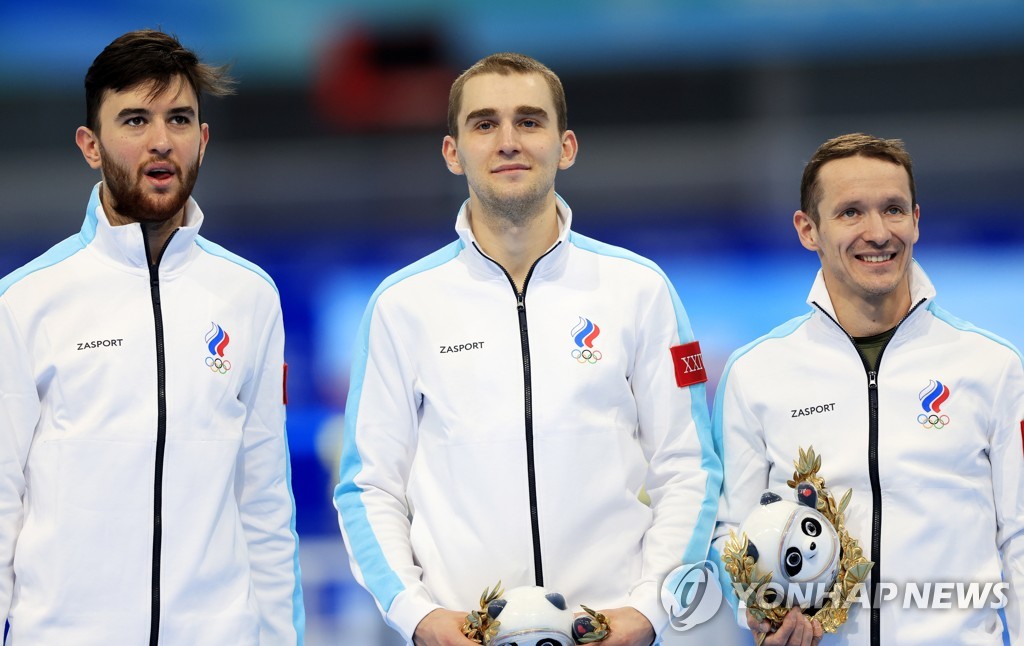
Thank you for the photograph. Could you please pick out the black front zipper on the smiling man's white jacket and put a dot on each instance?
(873, 468)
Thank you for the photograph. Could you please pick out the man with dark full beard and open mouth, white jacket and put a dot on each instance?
(145, 483)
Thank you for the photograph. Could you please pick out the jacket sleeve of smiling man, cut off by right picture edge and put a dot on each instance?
(1007, 457)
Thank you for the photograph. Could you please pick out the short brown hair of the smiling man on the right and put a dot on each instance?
(850, 146)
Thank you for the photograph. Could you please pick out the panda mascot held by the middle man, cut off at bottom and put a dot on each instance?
(531, 616)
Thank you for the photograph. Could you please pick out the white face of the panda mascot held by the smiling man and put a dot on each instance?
(807, 551)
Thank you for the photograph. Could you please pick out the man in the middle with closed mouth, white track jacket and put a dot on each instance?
(515, 393)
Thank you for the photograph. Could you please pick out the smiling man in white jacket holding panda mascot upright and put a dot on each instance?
(917, 412)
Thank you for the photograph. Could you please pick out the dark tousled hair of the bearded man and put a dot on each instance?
(149, 57)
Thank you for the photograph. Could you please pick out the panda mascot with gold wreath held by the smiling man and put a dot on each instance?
(798, 553)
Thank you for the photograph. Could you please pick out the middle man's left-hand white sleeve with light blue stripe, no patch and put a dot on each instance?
(377, 455)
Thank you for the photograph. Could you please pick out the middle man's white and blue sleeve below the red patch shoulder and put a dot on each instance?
(685, 475)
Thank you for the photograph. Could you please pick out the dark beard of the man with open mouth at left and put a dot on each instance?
(125, 195)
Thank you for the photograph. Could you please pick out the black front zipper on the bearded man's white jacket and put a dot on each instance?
(158, 486)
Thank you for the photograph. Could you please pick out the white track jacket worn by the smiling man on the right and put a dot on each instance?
(938, 495)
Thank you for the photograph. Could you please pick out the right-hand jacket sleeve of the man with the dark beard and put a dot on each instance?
(265, 494)
